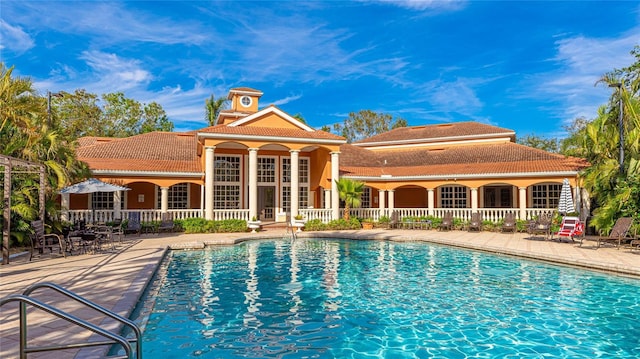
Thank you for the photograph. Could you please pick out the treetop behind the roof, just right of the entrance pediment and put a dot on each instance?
(366, 123)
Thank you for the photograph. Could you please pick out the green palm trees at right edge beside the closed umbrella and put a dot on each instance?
(612, 192)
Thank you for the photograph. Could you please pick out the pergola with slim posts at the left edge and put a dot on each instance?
(14, 165)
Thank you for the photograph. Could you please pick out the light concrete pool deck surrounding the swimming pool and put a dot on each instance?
(116, 280)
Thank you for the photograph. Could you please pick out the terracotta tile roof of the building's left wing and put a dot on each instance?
(155, 151)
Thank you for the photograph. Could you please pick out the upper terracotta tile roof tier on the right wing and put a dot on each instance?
(432, 132)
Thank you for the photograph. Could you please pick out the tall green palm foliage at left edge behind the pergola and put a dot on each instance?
(27, 134)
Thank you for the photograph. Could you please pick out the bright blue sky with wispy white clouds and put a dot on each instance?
(527, 66)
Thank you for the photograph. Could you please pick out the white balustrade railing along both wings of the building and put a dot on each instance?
(149, 215)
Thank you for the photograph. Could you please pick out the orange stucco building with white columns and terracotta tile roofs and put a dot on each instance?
(247, 164)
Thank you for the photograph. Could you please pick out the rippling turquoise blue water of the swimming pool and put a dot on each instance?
(316, 298)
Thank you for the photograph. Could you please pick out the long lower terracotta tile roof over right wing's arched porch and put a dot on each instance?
(475, 159)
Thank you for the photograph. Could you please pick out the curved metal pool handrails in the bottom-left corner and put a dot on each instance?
(111, 338)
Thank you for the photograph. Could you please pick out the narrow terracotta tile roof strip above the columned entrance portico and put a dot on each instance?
(270, 132)
